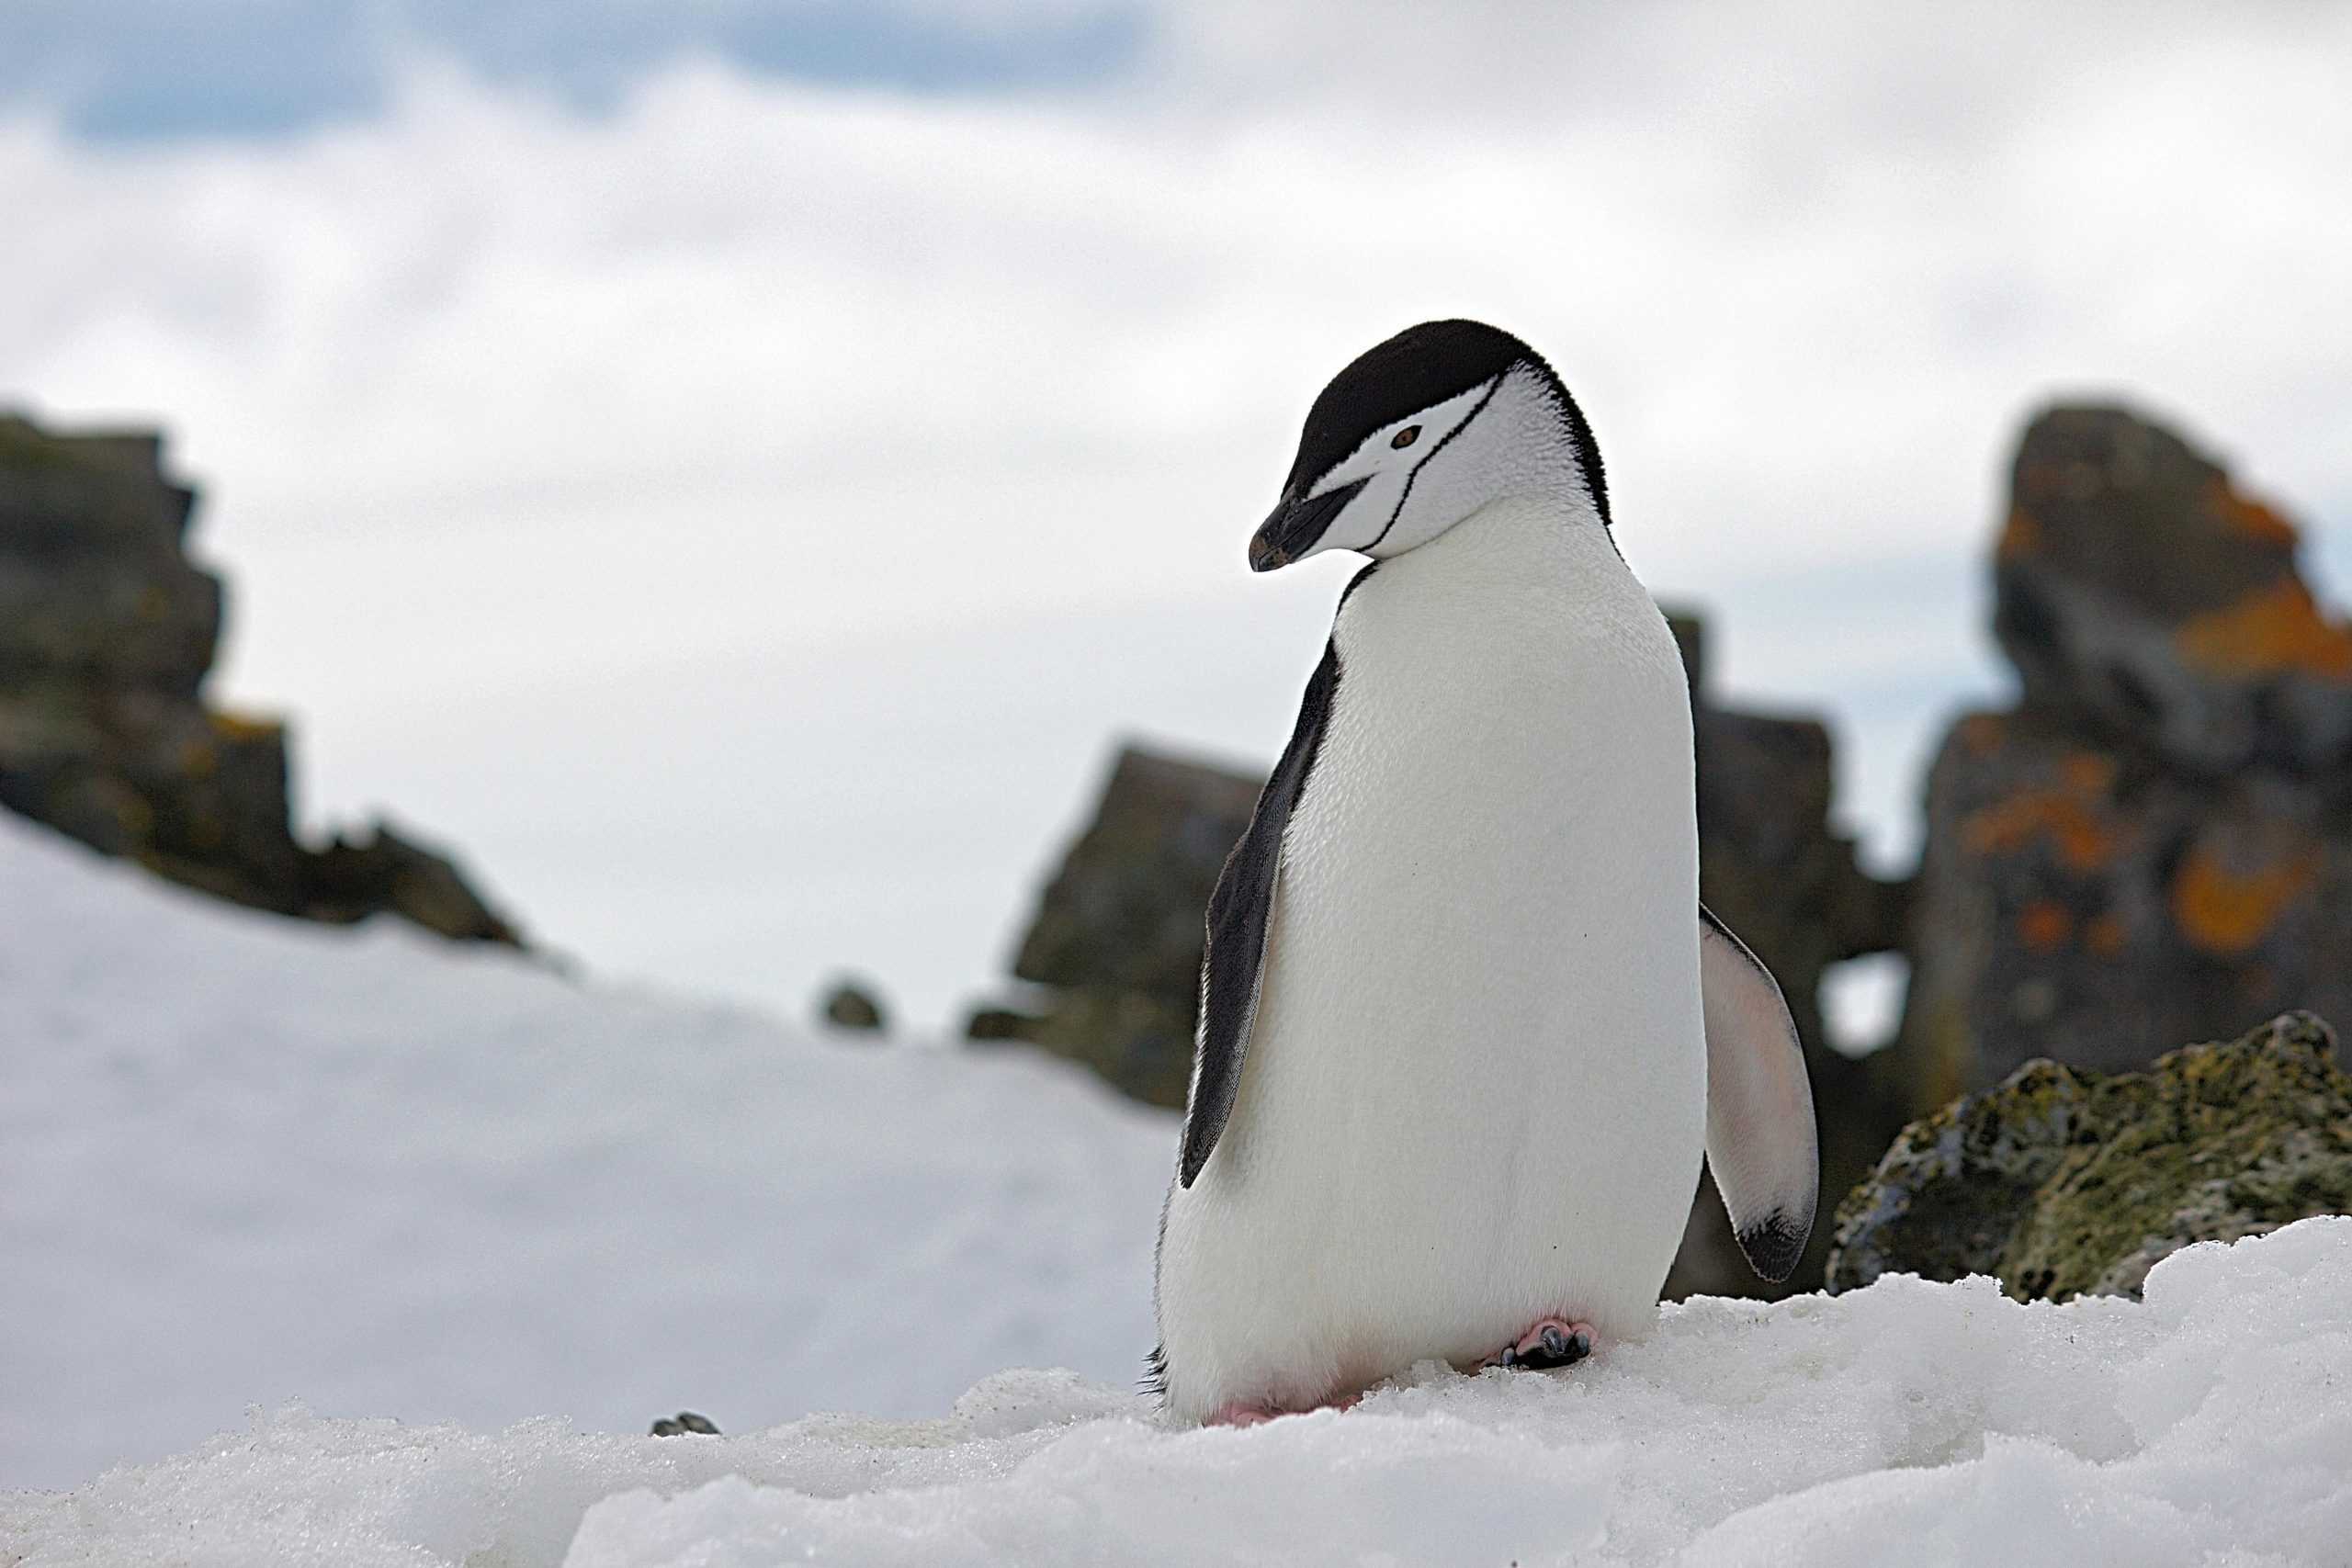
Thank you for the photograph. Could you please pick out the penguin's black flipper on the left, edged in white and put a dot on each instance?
(1241, 916)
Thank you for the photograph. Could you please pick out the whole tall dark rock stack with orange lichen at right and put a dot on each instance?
(2156, 843)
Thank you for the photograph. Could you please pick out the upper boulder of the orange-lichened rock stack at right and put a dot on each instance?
(2144, 596)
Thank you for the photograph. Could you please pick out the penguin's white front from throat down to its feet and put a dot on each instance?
(1476, 1090)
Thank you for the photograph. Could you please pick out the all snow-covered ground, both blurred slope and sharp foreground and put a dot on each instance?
(246, 1160)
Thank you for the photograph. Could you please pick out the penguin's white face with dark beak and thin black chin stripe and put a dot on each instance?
(1415, 478)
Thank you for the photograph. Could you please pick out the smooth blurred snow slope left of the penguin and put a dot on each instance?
(246, 1160)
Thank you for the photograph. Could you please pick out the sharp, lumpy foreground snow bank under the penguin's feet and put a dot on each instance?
(1909, 1423)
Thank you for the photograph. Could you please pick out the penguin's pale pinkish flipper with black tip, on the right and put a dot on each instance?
(1760, 1104)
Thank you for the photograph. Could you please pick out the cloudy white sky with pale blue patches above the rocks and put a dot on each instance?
(737, 471)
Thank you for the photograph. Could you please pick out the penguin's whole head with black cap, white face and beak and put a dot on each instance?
(1419, 434)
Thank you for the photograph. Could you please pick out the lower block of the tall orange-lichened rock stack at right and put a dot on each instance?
(2094, 906)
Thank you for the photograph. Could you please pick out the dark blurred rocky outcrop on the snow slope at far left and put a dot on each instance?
(107, 636)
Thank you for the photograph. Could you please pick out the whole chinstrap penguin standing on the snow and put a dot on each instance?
(1464, 1024)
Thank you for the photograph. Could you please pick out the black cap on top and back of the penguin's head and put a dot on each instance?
(1419, 368)
